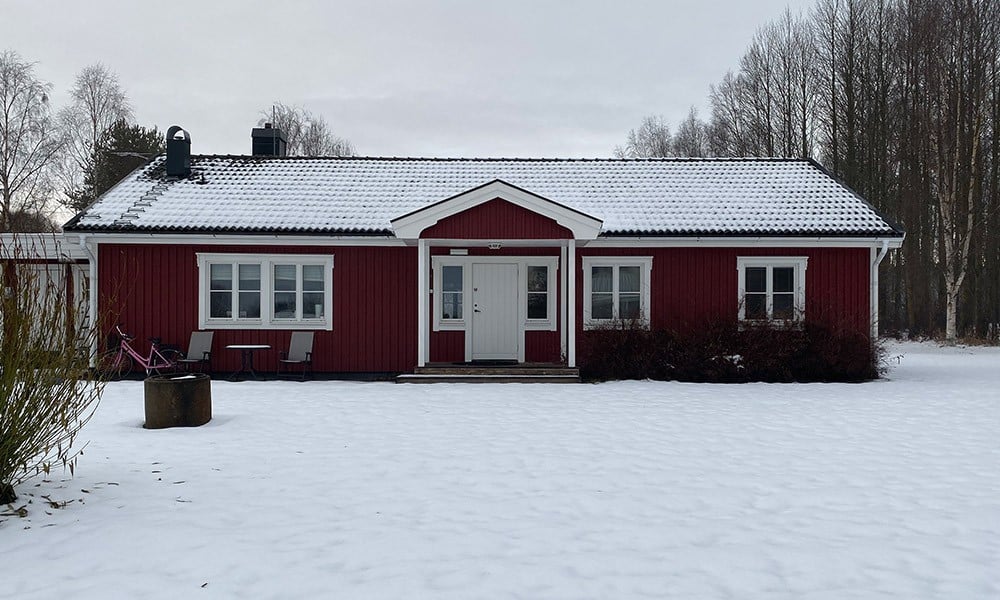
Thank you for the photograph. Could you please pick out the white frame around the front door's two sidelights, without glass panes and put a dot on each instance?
(522, 262)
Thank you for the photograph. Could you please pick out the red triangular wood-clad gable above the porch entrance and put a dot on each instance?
(497, 220)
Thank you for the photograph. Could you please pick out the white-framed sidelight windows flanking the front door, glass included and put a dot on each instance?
(536, 293)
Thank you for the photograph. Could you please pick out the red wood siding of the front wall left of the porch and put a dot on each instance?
(153, 291)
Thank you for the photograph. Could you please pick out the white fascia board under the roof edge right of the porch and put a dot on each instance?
(743, 241)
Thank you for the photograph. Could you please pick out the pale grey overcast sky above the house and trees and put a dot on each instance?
(443, 78)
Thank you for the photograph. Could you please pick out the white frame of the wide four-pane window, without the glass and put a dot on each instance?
(267, 319)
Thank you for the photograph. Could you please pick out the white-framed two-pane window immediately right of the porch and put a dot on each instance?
(616, 288)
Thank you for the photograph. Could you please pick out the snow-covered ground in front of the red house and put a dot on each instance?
(619, 490)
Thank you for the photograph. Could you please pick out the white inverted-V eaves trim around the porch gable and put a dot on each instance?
(410, 226)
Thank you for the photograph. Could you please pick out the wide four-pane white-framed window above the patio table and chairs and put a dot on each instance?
(272, 291)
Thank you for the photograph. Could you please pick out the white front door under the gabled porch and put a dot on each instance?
(494, 312)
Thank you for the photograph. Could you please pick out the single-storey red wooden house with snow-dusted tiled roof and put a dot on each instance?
(398, 262)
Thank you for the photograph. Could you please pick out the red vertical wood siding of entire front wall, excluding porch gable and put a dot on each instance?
(153, 291)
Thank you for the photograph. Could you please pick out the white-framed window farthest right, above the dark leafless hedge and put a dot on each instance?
(772, 288)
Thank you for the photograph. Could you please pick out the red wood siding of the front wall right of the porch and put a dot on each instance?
(690, 286)
